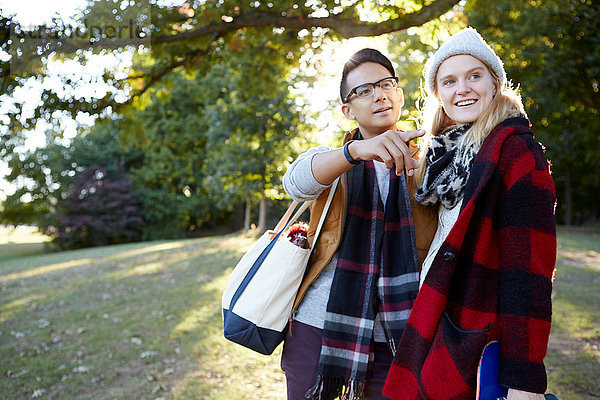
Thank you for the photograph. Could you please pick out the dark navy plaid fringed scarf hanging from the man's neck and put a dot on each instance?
(376, 272)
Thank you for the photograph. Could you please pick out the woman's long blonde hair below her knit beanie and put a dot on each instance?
(505, 104)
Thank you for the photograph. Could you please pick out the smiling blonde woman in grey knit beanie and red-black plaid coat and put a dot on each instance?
(488, 273)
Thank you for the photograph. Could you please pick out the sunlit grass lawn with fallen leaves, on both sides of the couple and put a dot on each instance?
(143, 321)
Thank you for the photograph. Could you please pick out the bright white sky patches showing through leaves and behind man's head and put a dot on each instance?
(36, 12)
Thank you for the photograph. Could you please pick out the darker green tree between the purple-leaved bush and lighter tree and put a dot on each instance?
(170, 131)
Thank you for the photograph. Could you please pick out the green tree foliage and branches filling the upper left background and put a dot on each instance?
(203, 119)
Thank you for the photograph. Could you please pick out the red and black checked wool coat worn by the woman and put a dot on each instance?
(491, 279)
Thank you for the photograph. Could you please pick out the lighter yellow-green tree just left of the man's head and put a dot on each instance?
(252, 122)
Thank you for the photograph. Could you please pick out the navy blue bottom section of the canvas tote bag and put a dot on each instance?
(243, 332)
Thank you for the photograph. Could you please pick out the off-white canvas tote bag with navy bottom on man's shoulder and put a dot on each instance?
(257, 302)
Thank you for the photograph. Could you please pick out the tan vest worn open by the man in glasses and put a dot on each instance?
(425, 222)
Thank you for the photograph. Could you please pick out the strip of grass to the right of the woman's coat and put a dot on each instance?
(573, 360)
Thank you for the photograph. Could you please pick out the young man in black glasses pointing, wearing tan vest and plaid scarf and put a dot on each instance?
(363, 274)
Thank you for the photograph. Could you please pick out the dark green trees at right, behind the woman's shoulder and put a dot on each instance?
(551, 49)
